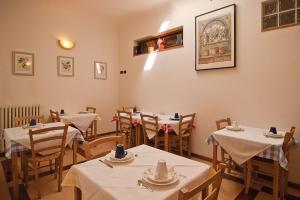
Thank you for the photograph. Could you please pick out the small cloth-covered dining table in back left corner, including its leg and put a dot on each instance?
(82, 120)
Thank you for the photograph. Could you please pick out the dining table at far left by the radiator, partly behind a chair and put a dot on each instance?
(17, 140)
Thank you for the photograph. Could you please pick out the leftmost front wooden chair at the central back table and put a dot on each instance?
(126, 126)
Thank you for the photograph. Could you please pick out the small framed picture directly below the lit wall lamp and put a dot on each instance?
(65, 66)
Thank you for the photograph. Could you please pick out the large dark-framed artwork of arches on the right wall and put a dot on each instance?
(215, 39)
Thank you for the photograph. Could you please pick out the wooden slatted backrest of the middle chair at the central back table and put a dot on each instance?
(150, 124)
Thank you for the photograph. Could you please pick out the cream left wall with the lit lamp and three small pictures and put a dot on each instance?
(34, 26)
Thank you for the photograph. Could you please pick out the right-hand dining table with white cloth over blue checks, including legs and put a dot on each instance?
(247, 142)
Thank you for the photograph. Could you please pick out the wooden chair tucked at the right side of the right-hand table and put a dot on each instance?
(258, 162)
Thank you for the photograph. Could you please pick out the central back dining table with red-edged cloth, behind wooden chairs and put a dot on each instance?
(165, 122)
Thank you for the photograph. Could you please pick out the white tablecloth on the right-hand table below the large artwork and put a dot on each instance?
(243, 145)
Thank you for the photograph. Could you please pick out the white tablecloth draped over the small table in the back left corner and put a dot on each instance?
(81, 121)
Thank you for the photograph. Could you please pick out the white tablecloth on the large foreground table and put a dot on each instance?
(97, 181)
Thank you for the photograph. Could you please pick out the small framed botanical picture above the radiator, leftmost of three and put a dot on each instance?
(23, 63)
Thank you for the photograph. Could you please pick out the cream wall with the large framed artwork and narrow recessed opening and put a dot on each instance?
(263, 89)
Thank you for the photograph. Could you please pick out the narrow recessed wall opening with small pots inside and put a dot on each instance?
(172, 39)
